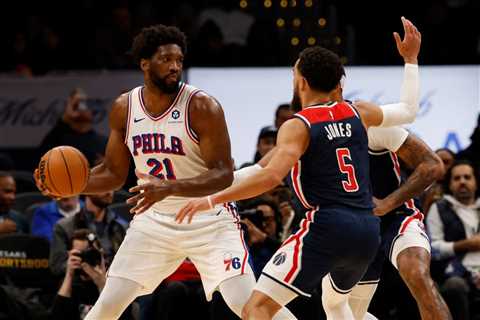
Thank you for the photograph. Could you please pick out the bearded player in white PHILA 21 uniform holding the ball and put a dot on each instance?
(177, 134)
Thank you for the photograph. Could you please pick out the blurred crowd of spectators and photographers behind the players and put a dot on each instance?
(54, 253)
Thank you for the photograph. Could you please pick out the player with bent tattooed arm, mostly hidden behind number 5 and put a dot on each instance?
(404, 241)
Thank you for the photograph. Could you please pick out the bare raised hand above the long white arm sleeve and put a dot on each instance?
(409, 47)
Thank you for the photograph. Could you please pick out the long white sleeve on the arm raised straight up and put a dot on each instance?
(405, 111)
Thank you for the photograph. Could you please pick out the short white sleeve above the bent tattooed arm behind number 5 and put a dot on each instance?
(386, 138)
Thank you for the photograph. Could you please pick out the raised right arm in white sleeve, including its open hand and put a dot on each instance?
(406, 110)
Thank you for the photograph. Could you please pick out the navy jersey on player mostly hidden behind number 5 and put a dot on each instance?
(386, 177)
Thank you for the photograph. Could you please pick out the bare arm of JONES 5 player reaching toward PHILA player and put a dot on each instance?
(292, 141)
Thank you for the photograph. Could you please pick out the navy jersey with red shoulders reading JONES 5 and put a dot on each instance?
(334, 170)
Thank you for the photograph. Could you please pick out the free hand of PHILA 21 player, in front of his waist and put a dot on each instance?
(153, 190)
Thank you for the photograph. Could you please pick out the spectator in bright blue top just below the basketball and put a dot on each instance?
(46, 216)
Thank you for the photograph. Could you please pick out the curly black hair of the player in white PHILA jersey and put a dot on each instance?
(150, 38)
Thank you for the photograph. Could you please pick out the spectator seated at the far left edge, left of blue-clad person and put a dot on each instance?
(10, 220)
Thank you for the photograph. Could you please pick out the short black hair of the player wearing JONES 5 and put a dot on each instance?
(321, 68)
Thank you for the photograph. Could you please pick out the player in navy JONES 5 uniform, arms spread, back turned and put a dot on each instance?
(325, 147)
